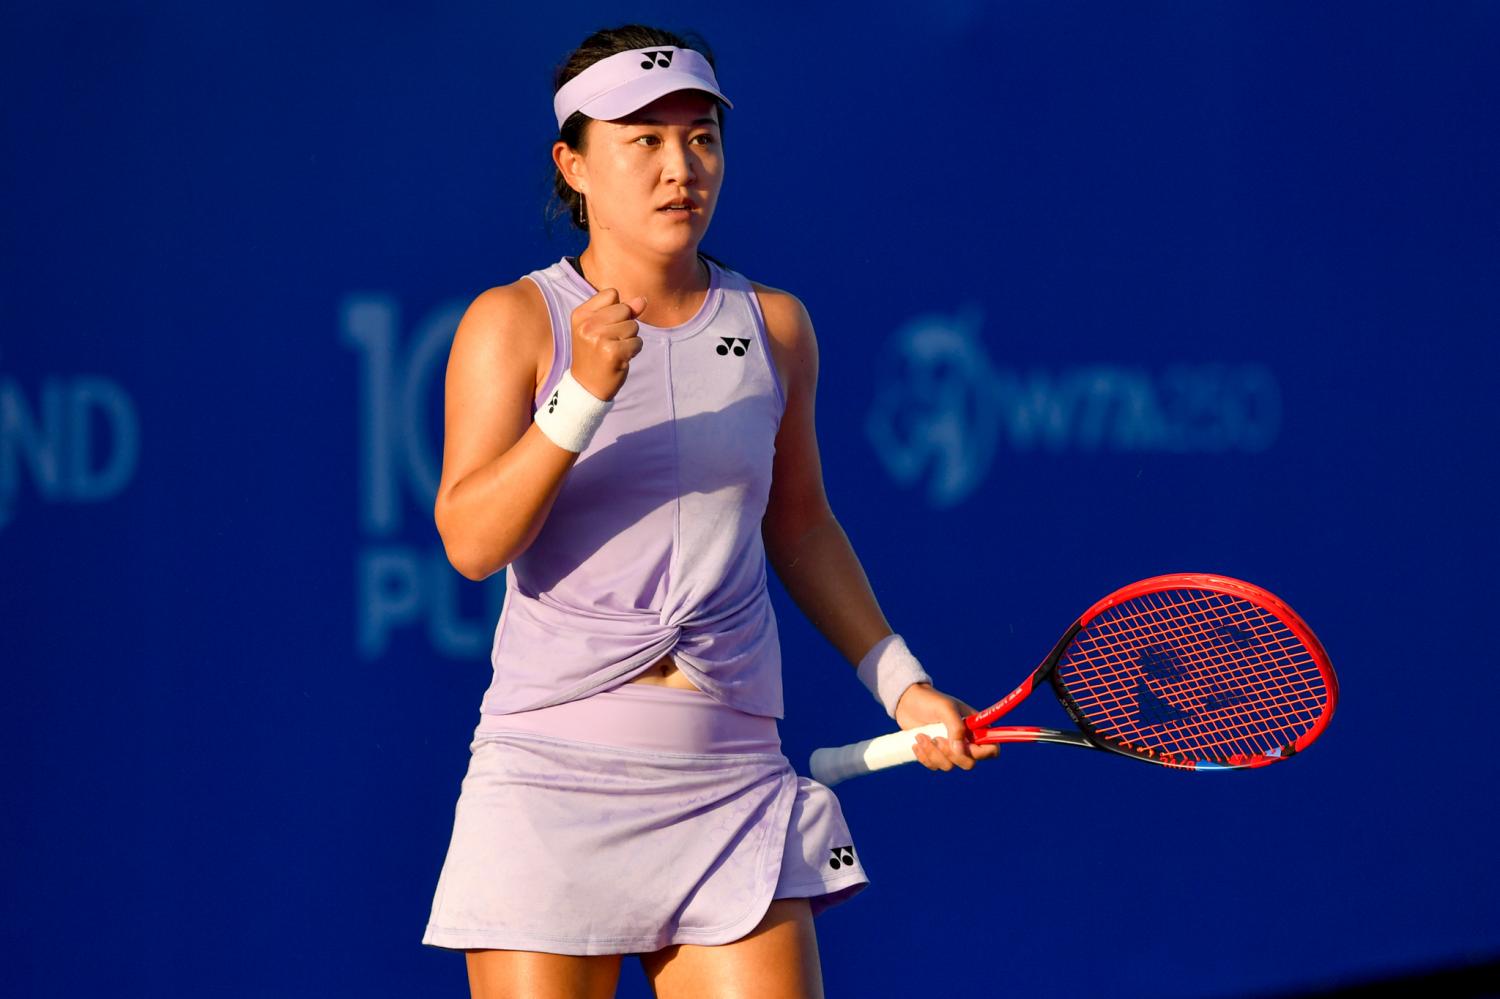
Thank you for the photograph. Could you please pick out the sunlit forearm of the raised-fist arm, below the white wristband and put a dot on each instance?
(494, 514)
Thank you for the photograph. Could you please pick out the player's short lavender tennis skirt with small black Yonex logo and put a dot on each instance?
(632, 820)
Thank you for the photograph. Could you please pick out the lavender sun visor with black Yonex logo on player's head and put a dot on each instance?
(628, 82)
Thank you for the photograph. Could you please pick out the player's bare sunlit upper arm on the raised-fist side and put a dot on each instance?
(502, 343)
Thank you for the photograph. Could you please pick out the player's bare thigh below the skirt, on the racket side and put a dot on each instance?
(776, 961)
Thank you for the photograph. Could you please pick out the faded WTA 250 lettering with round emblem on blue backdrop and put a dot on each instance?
(943, 409)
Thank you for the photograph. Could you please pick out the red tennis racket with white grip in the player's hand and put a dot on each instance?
(1189, 671)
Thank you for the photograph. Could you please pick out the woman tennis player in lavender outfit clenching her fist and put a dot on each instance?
(631, 431)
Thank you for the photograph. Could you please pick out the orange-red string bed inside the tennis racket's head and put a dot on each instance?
(1195, 676)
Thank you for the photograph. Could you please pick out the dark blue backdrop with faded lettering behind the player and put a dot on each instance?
(1103, 292)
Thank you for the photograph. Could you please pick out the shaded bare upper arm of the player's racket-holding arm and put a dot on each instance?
(797, 500)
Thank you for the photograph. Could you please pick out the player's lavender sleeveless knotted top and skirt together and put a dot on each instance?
(601, 817)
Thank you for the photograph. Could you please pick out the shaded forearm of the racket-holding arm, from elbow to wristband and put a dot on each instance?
(824, 578)
